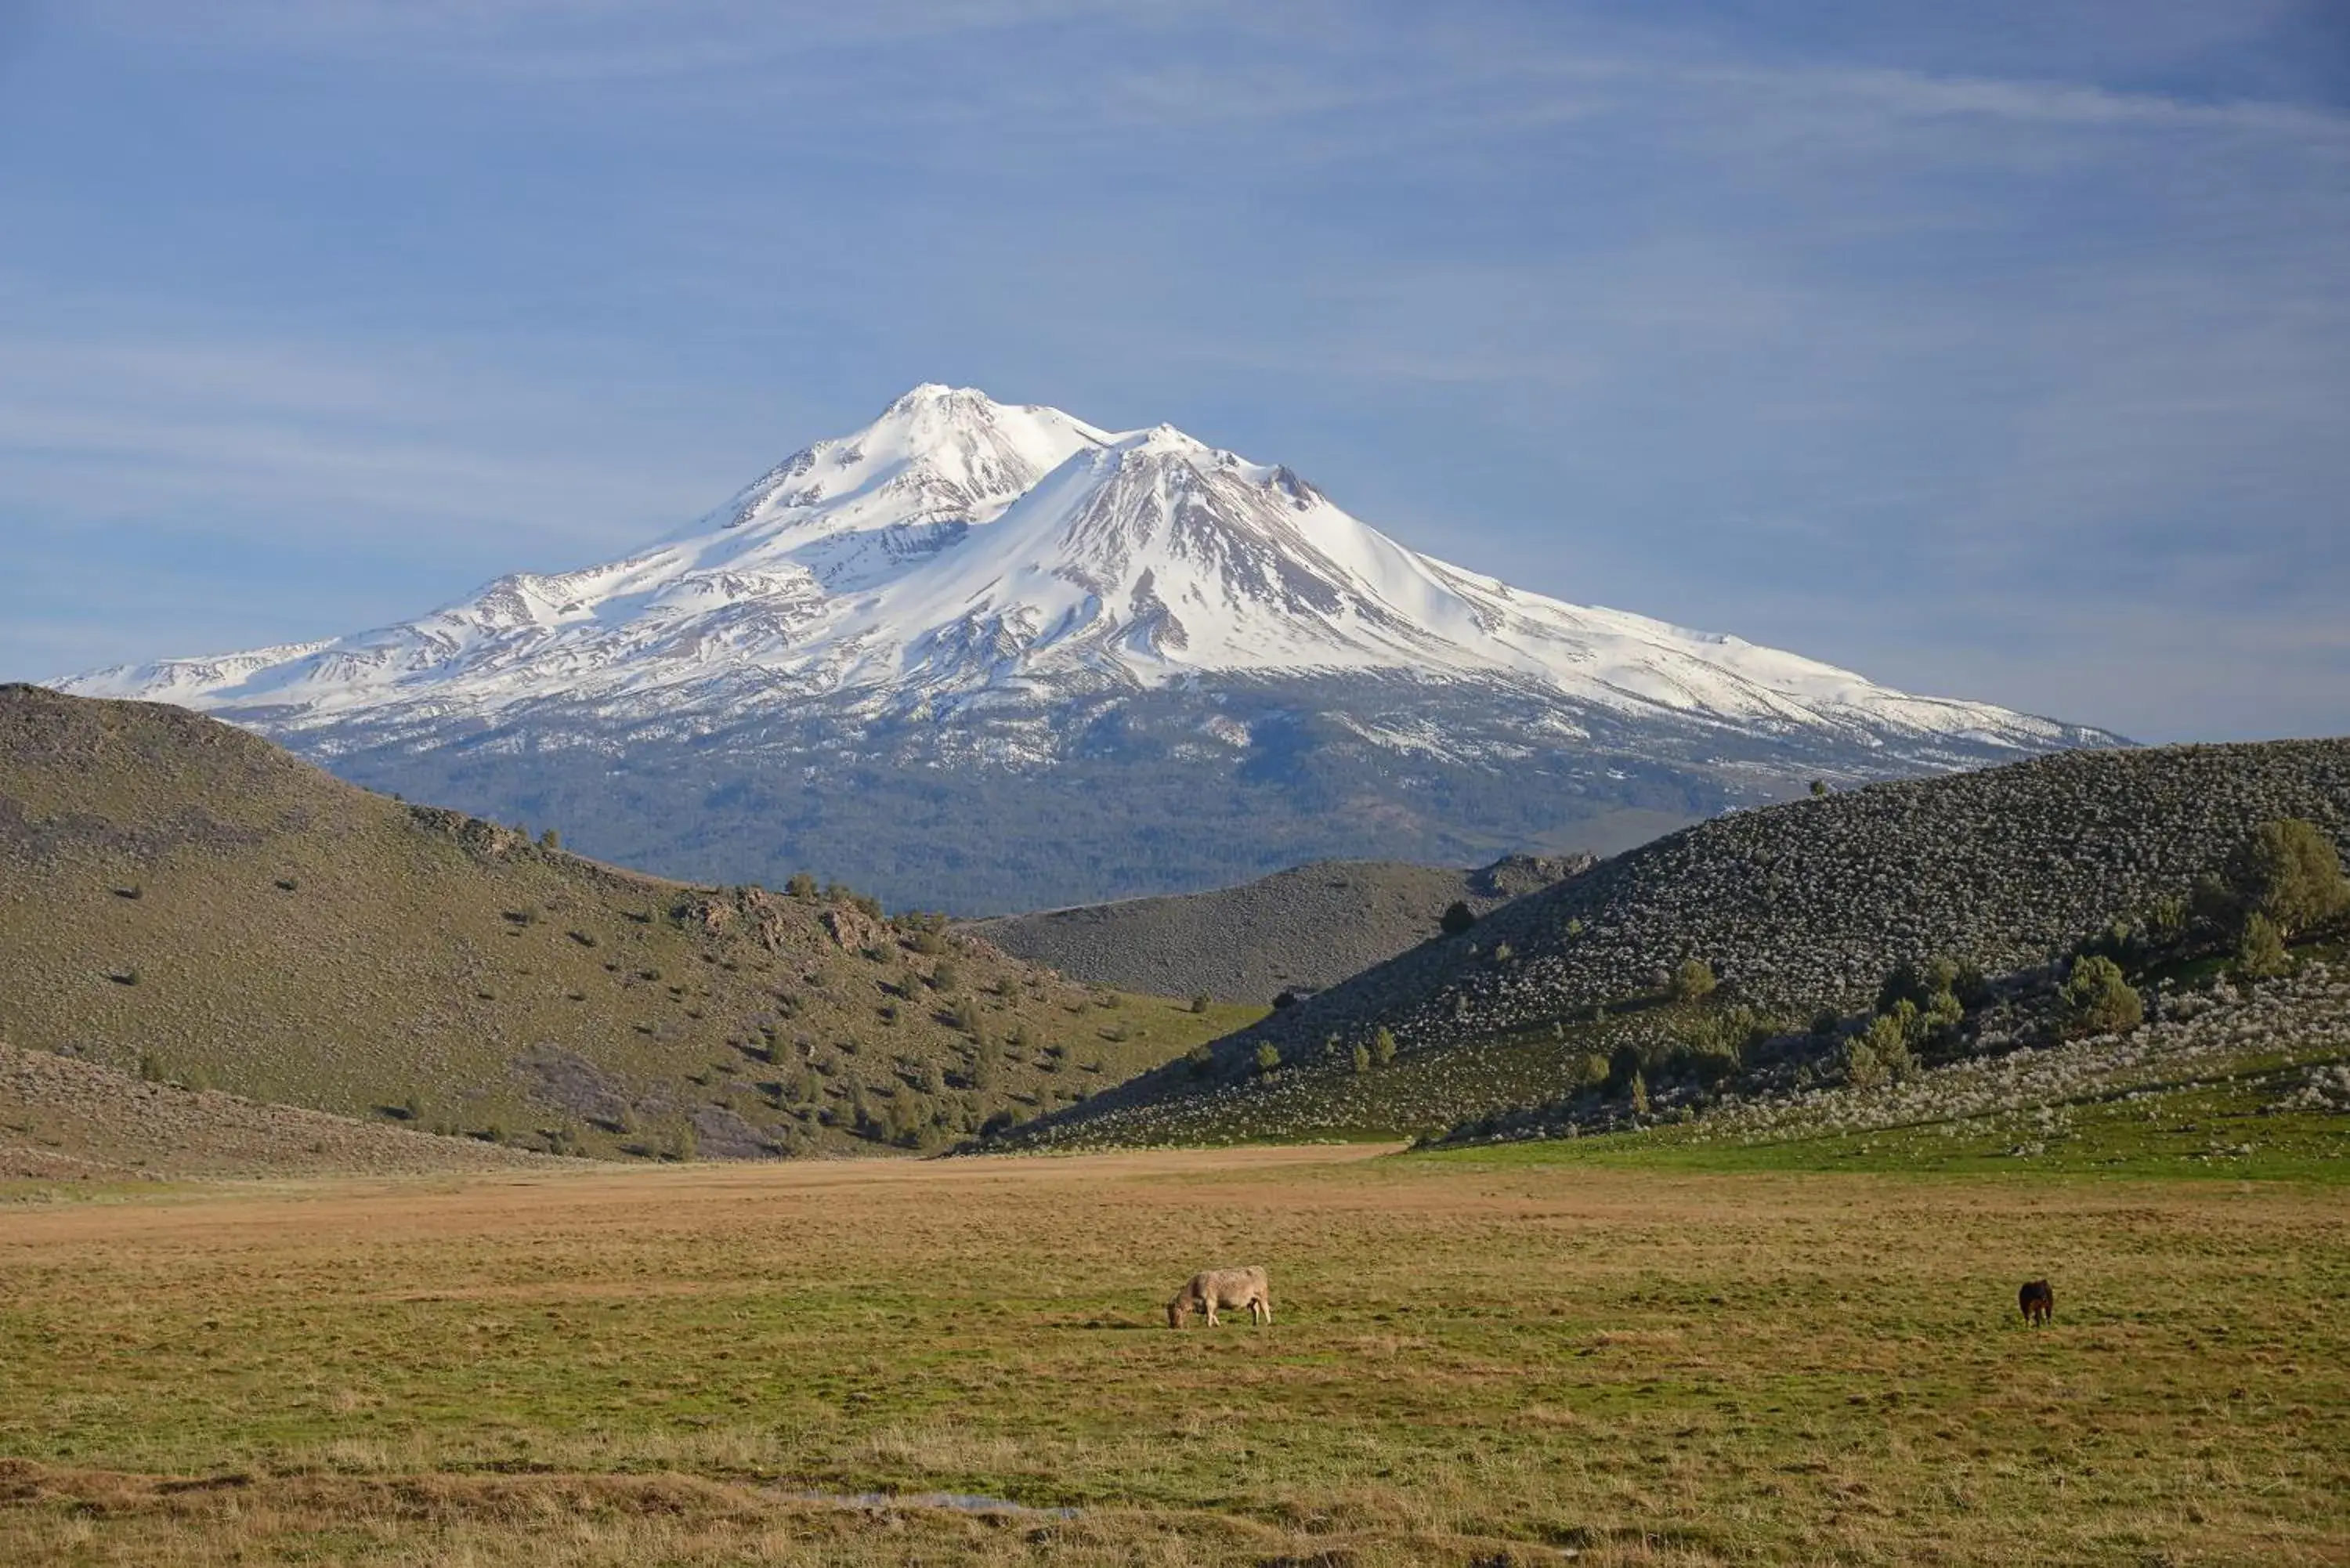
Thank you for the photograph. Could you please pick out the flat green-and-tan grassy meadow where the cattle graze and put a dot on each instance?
(1536, 1355)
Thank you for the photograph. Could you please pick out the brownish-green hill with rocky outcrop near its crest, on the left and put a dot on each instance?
(189, 904)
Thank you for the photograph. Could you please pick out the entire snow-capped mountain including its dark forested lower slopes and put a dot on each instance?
(993, 657)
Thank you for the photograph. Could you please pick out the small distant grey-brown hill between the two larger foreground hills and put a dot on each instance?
(1294, 932)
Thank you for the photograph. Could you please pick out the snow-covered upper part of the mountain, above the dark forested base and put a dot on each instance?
(960, 549)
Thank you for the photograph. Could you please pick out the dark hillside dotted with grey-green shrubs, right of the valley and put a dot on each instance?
(1562, 998)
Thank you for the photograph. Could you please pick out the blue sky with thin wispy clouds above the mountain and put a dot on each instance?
(1994, 351)
